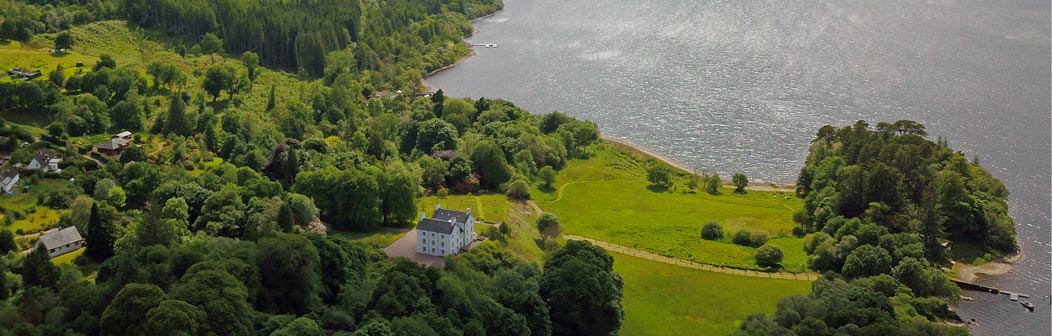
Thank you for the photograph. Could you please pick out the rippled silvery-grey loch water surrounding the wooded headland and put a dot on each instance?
(730, 86)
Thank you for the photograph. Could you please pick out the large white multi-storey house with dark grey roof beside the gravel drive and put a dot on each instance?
(447, 233)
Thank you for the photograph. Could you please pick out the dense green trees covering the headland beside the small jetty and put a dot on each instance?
(885, 210)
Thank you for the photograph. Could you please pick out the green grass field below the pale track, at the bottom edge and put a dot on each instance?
(664, 300)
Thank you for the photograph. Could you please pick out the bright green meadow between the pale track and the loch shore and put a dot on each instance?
(608, 199)
